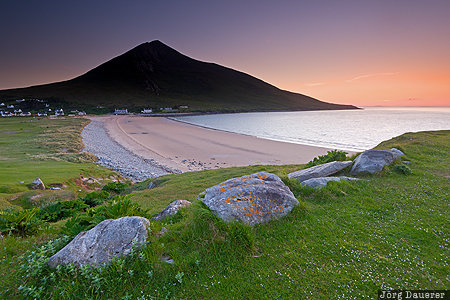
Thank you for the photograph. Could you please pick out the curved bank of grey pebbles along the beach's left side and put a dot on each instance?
(112, 155)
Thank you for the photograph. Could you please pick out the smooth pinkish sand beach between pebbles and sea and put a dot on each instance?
(187, 147)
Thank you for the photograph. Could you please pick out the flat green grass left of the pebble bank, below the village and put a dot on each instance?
(44, 148)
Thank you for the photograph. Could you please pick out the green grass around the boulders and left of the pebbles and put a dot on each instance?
(346, 241)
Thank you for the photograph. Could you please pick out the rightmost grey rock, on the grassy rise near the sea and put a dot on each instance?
(372, 161)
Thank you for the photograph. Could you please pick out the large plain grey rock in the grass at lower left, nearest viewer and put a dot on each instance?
(99, 245)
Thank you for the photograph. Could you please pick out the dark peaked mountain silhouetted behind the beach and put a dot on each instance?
(154, 75)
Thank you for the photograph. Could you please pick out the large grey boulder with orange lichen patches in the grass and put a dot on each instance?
(251, 199)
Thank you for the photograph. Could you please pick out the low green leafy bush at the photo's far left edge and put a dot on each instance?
(21, 223)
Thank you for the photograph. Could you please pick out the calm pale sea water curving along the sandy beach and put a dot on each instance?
(353, 130)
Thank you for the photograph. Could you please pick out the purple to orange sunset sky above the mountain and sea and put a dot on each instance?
(360, 52)
